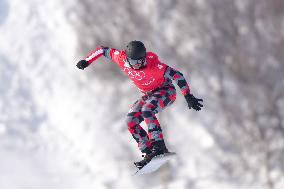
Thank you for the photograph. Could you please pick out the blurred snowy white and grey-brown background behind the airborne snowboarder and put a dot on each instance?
(64, 128)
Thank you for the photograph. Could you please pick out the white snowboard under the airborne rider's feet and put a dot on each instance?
(155, 163)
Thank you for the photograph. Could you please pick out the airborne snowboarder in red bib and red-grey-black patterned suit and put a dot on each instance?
(154, 79)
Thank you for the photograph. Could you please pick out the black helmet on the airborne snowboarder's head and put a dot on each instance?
(135, 50)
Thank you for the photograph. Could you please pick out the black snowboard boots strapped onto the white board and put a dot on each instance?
(159, 148)
